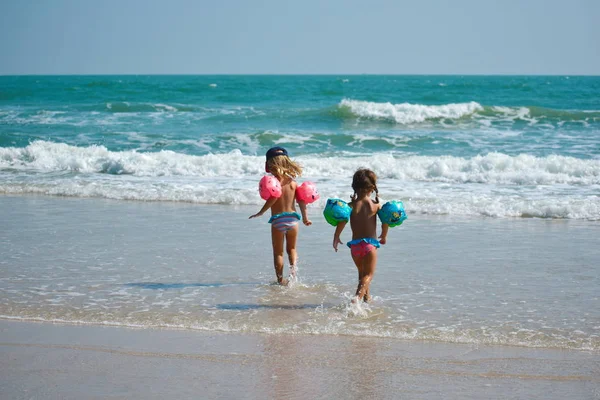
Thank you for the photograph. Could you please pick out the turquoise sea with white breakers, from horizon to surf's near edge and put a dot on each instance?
(496, 146)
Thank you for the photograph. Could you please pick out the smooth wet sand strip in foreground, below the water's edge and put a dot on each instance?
(42, 360)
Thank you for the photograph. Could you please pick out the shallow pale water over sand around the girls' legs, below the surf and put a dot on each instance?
(522, 282)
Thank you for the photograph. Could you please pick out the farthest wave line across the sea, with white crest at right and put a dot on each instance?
(410, 116)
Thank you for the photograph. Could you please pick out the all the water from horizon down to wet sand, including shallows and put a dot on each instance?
(124, 200)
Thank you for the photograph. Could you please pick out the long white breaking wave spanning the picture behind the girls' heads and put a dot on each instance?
(495, 168)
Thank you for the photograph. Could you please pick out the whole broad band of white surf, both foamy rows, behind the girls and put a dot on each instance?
(493, 185)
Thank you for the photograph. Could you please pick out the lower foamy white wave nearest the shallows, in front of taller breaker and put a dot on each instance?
(425, 200)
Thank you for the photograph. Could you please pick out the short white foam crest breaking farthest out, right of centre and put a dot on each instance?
(406, 113)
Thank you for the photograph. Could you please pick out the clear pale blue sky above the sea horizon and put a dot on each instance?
(300, 37)
